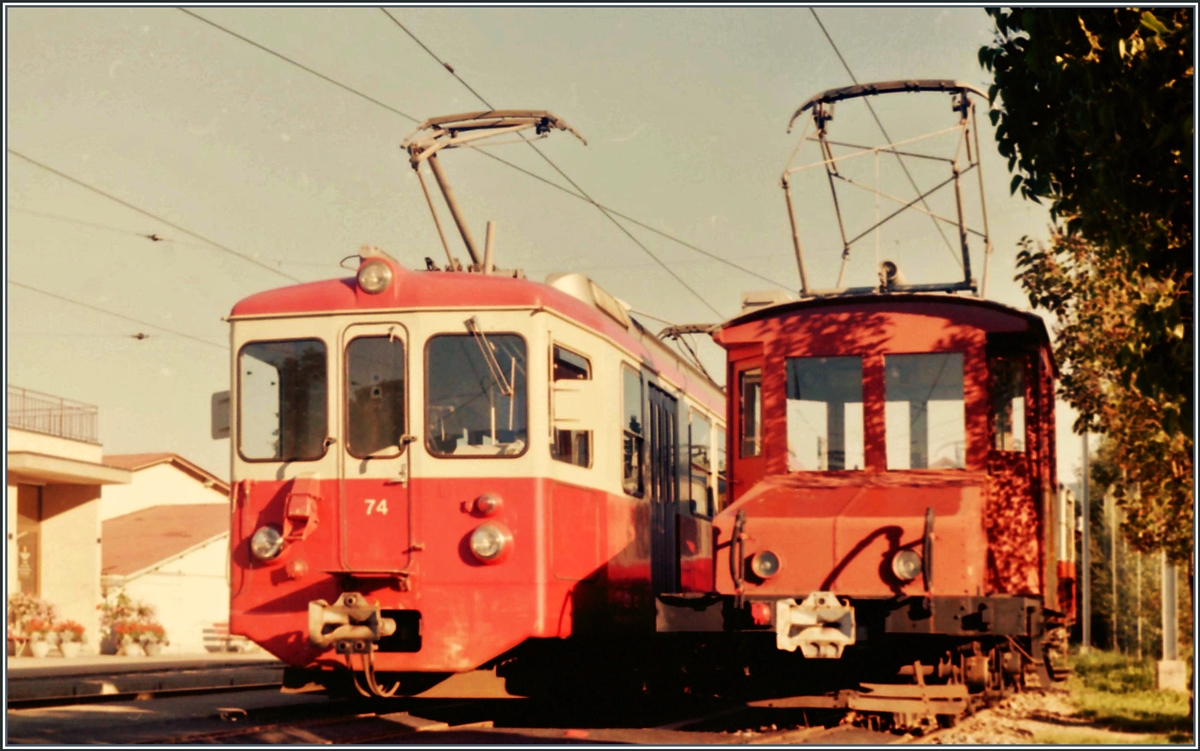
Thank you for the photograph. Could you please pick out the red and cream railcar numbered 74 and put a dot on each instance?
(431, 470)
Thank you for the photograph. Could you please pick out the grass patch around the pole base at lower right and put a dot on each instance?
(1119, 693)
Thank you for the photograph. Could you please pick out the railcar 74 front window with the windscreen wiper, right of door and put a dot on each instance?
(476, 395)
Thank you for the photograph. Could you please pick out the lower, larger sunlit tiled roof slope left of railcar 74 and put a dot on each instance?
(140, 540)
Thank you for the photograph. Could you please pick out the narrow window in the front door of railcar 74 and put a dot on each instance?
(375, 396)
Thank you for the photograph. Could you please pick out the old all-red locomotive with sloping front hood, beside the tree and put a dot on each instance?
(892, 470)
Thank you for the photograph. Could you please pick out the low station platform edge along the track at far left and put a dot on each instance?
(35, 680)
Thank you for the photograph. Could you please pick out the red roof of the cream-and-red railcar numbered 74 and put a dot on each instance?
(441, 291)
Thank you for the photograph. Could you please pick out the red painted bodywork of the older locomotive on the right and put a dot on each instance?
(838, 531)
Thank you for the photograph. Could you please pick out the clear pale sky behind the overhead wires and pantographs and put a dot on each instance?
(685, 110)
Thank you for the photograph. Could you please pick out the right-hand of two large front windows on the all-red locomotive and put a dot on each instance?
(925, 412)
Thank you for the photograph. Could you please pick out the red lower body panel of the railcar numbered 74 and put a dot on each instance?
(569, 567)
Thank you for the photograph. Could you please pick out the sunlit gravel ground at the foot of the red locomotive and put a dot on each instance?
(1029, 718)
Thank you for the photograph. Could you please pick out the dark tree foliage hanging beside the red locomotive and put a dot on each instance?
(1094, 110)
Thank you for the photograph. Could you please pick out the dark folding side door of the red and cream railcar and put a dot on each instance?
(664, 490)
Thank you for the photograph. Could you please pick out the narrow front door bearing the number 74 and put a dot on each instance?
(374, 488)
